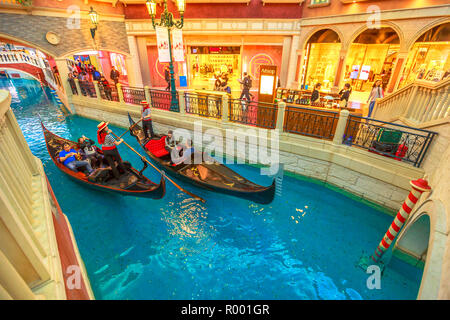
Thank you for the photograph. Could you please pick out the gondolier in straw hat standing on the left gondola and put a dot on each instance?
(108, 143)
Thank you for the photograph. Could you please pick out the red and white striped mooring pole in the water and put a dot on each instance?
(419, 186)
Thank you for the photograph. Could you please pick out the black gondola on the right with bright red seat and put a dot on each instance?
(211, 176)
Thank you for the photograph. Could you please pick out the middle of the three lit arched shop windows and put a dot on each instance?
(371, 57)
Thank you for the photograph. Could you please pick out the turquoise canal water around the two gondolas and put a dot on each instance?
(305, 245)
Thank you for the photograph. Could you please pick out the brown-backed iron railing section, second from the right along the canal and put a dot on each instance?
(310, 122)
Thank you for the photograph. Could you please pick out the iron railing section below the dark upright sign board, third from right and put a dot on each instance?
(253, 113)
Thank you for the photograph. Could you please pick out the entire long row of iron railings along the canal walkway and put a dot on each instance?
(387, 139)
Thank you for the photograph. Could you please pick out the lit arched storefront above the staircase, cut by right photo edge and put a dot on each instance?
(428, 59)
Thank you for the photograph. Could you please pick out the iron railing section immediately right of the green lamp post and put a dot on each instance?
(203, 105)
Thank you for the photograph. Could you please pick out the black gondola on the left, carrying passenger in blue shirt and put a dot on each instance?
(131, 183)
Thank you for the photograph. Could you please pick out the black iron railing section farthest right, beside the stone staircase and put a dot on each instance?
(396, 141)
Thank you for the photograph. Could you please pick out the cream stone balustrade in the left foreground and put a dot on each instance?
(30, 265)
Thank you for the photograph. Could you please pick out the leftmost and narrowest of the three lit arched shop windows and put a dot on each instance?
(321, 60)
